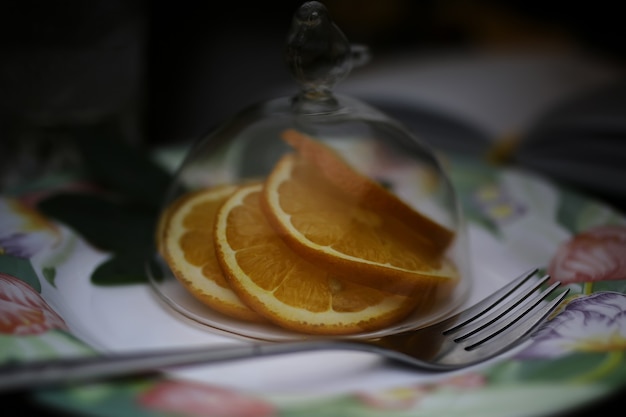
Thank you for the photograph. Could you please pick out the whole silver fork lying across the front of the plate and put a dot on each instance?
(489, 328)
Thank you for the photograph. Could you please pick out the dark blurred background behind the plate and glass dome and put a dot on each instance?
(465, 74)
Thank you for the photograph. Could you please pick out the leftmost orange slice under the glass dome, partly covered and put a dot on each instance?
(185, 239)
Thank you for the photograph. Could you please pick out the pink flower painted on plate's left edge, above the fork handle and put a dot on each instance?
(23, 311)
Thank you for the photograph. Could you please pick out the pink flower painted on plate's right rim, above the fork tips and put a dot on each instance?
(595, 255)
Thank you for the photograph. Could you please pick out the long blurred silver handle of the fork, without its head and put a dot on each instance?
(34, 374)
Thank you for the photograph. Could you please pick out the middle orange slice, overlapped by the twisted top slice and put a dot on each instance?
(285, 288)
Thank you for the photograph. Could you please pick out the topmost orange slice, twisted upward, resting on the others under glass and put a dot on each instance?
(333, 216)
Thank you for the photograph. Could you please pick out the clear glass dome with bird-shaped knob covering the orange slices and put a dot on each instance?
(311, 215)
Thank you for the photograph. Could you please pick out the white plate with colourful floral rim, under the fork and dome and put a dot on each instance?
(53, 303)
